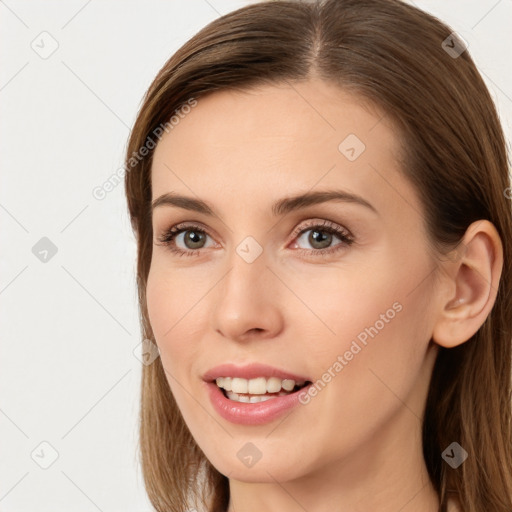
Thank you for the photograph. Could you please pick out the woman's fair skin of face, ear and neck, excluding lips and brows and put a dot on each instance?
(356, 446)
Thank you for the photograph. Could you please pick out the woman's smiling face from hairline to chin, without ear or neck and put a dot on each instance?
(335, 292)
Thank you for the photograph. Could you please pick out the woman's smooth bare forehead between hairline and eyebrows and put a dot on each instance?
(276, 139)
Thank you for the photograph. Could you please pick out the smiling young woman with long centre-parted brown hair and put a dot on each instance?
(320, 197)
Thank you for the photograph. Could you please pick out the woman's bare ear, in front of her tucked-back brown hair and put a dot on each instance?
(471, 286)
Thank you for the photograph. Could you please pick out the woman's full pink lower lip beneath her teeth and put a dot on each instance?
(252, 414)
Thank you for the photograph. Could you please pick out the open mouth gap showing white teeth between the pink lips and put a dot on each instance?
(259, 389)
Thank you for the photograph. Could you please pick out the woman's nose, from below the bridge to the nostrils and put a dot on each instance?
(247, 301)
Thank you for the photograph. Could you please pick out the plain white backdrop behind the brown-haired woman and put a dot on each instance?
(71, 81)
